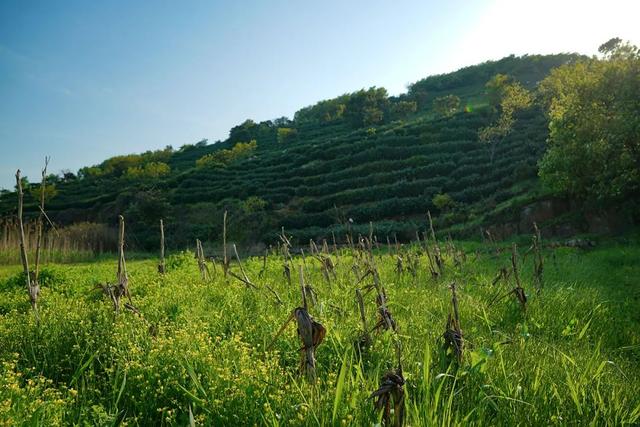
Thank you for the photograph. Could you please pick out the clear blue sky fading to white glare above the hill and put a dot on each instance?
(81, 81)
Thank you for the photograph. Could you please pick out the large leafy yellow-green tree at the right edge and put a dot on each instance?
(593, 108)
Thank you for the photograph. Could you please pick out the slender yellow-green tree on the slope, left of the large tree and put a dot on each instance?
(507, 98)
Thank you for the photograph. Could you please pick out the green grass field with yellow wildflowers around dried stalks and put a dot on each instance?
(197, 355)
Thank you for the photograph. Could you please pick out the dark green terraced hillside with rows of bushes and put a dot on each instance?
(359, 158)
